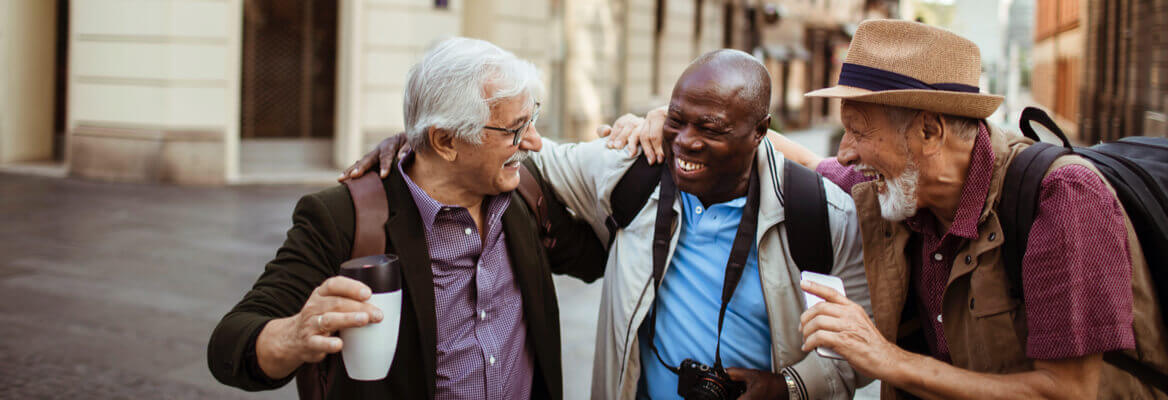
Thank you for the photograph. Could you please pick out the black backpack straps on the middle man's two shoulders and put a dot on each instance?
(803, 197)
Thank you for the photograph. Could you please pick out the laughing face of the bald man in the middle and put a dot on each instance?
(713, 134)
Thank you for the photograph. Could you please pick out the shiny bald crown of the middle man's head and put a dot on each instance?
(738, 79)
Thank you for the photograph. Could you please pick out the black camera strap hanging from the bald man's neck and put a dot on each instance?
(743, 240)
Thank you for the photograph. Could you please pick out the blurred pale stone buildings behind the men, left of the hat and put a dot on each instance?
(230, 92)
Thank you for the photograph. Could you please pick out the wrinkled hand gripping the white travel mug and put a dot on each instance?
(308, 337)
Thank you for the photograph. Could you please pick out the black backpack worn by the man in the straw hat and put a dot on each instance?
(1136, 167)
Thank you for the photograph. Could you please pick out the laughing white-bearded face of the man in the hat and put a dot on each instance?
(878, 148)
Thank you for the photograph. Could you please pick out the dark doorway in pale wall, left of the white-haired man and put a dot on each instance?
(289, 86)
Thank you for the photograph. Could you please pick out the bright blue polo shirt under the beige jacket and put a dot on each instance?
(691, 296)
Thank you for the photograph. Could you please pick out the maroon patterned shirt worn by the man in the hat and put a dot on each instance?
(1076, 272)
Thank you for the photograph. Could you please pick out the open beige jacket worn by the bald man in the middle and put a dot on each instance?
(585, 177)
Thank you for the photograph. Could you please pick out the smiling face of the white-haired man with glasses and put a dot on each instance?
(492, 167)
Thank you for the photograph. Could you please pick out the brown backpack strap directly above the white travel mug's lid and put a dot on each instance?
(372, 211)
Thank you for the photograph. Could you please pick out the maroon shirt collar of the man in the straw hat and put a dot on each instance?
(974, 192)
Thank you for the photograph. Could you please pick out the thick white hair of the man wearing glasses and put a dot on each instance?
(457, 82)
